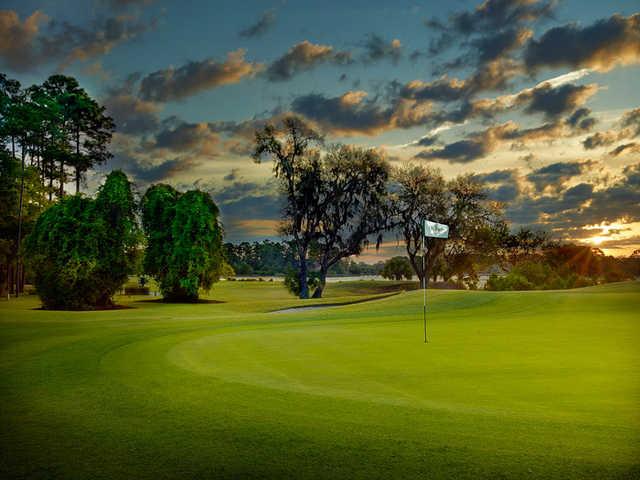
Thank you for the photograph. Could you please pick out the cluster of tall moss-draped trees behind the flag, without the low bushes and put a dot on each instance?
(341, 199)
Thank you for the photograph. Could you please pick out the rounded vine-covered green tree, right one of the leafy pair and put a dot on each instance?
(184, 241)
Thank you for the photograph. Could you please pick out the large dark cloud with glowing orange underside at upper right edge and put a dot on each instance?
(600, 46)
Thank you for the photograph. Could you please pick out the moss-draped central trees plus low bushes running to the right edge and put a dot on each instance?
(340, 199)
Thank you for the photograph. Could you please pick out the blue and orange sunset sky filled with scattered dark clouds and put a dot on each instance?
(538, 99)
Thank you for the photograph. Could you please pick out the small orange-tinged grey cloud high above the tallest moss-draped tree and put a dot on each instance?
(304, 56)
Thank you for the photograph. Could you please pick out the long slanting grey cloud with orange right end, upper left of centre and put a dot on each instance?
(194, 77)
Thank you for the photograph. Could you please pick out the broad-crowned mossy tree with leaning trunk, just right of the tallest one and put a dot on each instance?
(352, 205)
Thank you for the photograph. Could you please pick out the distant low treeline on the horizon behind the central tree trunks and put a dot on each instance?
(271, 258)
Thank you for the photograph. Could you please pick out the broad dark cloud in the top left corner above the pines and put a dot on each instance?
(39, 40)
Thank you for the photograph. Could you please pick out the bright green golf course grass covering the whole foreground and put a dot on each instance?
(512, 385)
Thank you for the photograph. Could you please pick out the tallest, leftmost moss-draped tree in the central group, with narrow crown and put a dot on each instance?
(297, 167)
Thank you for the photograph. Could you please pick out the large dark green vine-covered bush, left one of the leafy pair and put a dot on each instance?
(82, 250)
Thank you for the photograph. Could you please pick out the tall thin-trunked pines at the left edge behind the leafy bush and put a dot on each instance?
(51, 134)
